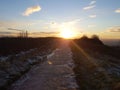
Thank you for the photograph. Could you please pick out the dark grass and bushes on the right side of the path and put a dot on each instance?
(97, 66)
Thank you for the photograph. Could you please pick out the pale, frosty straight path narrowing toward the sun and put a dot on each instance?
(56, 73)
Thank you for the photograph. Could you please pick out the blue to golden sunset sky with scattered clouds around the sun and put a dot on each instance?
(49, 17)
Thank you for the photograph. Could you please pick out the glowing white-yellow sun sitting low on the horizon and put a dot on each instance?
(67, 33)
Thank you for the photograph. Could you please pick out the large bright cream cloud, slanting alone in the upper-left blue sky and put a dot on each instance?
(31, 10)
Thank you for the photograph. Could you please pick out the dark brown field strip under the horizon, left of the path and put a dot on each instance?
(16, 45)
